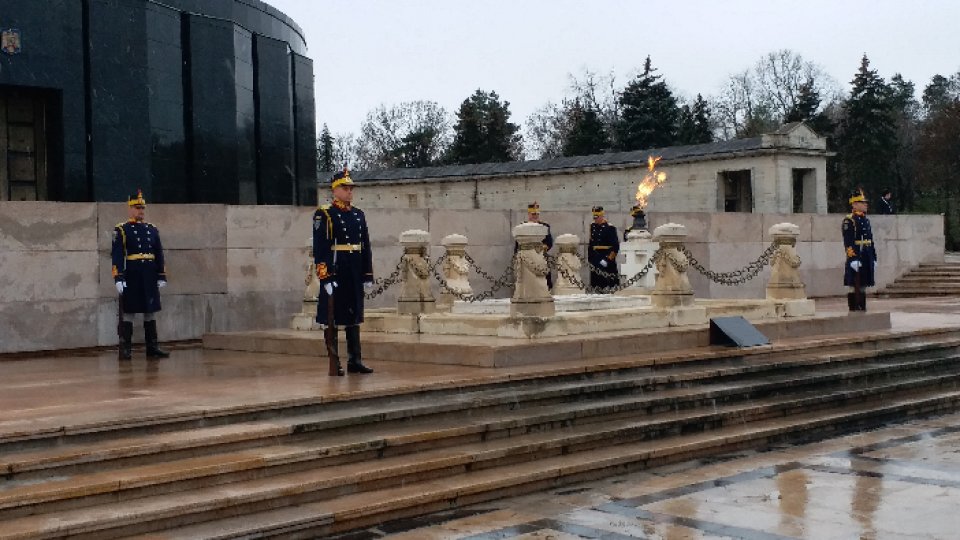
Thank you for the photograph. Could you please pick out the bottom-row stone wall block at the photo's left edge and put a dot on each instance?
(48, 325)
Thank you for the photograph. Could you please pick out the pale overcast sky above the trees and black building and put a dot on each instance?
(371, 52)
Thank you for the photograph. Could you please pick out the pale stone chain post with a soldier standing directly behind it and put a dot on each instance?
(530, 294)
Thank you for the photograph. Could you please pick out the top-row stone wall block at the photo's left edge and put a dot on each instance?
(47, 226)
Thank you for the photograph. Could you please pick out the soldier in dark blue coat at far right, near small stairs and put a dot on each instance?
(861, 253)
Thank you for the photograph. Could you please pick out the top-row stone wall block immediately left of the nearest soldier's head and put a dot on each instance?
(269, 226)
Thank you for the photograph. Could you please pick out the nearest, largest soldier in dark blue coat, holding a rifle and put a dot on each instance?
(344, 262)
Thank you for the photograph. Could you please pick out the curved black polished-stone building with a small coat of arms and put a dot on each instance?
(194, 101)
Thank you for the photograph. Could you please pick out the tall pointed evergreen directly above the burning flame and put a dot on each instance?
(648, 113)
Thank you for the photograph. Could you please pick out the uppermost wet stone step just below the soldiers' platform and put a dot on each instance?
(128, 451)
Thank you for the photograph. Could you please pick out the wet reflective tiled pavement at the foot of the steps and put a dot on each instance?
(899, 482)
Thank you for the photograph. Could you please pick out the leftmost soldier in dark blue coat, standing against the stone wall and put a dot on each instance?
(139, 274)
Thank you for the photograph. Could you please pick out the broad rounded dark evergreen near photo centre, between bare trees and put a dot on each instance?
(483, 132)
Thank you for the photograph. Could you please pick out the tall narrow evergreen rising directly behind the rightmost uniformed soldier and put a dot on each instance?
(867, 140)
